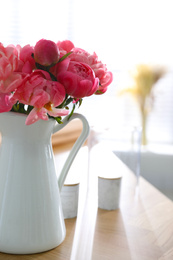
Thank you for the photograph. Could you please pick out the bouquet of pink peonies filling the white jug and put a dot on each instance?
(42, 81)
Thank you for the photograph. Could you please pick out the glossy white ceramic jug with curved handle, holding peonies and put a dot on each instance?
(31, 218)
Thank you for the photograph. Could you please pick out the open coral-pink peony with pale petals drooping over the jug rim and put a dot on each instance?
(44, 95)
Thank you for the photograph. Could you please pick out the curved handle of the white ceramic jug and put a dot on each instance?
(77, 145)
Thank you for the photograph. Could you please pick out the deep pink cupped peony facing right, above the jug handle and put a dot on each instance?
(78, 79)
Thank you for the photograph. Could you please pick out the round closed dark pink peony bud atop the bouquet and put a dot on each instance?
(46, 52)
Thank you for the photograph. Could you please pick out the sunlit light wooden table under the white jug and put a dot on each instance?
(141, 229)
